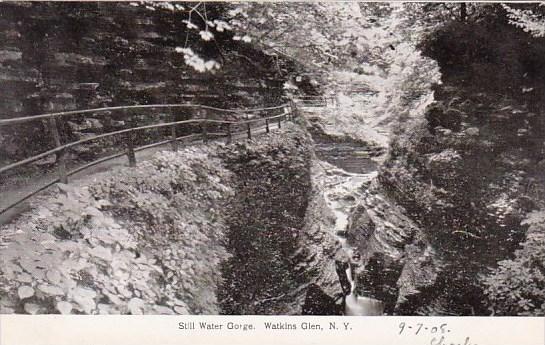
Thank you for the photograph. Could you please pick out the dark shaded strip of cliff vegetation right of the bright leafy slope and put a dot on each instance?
(266, 218)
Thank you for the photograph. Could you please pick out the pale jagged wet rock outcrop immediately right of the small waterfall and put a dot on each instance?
(393, 251)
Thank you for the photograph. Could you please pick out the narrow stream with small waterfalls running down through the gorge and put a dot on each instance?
(343, 172)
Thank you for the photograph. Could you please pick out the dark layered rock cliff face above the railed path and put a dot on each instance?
(63, 56)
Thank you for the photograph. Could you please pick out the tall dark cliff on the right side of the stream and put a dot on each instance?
(450, 200)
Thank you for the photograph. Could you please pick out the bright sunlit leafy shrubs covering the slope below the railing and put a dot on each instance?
(143, 240)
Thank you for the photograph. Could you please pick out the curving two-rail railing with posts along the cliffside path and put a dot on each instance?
(285, 112)
